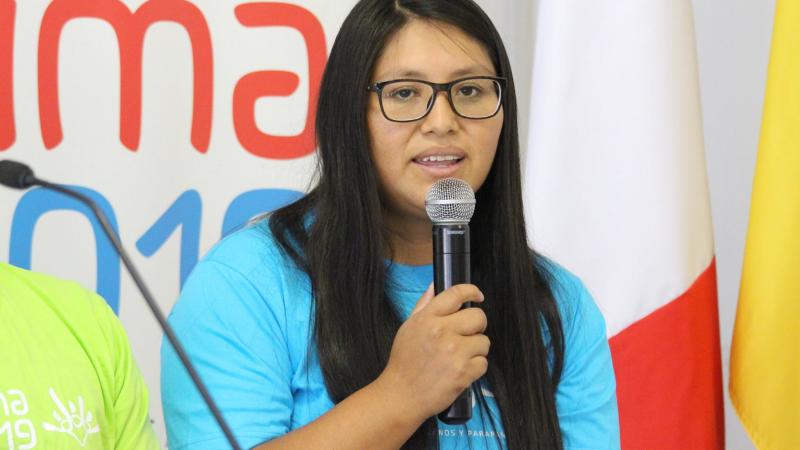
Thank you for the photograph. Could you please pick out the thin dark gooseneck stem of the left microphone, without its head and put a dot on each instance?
(148, 297)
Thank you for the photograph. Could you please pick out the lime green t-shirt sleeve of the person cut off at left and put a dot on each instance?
(130, 413)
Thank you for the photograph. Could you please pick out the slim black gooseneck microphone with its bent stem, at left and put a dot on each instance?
(19, 176)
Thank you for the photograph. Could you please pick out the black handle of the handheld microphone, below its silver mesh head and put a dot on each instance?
(451, 266)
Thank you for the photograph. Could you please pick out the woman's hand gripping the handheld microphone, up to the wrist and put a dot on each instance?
(437, 353)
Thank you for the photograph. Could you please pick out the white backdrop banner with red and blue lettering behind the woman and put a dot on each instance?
(182, 119)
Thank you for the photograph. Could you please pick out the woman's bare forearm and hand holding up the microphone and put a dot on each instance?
(437, 353)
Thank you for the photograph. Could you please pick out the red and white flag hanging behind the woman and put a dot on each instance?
(616, 192)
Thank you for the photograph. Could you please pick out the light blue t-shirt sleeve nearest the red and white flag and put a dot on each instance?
(586, 396)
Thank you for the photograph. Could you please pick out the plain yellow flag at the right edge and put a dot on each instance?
(765, 357)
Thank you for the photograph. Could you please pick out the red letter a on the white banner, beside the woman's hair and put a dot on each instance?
(279, 83)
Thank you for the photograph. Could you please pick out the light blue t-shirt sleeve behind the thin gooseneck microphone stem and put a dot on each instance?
(233, 327)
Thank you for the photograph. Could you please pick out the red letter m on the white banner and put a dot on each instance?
(130, 29)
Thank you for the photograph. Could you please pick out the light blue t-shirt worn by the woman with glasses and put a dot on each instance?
(244, 316)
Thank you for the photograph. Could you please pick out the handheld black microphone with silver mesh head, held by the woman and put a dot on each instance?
(450, 204)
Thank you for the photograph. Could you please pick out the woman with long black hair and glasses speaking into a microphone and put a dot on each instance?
(317, 327)
